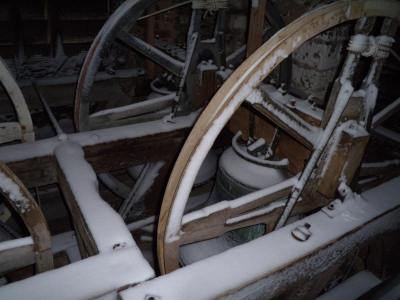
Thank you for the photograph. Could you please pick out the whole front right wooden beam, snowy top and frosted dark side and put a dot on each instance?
(273, 263)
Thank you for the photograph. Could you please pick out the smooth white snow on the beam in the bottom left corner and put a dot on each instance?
(86, 279)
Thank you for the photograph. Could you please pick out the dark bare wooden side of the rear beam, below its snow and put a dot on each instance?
(104, 157)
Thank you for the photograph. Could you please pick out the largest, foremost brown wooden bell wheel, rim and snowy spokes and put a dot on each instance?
(174, 229)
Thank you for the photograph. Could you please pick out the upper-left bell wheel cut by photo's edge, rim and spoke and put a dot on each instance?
(22, 129)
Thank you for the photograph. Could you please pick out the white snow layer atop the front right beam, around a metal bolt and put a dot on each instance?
(239, 266)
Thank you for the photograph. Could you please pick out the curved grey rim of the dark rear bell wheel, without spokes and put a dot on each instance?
(124, 16)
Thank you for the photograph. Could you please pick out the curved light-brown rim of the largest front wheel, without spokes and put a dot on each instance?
(232, 94)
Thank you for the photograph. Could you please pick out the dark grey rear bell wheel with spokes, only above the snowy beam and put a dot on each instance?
(118, 30)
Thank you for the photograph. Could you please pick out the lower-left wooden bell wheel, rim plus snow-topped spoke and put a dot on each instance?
(20, 253)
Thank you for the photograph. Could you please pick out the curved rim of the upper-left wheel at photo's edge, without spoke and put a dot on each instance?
(18, 100)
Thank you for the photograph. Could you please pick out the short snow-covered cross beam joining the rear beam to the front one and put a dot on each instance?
(100, 229)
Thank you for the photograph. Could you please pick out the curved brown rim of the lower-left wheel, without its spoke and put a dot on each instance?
(31, 215)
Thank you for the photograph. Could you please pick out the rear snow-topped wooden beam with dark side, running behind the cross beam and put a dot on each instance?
(34, 163)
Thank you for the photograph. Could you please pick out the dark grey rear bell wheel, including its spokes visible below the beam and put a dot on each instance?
(118, 30)
